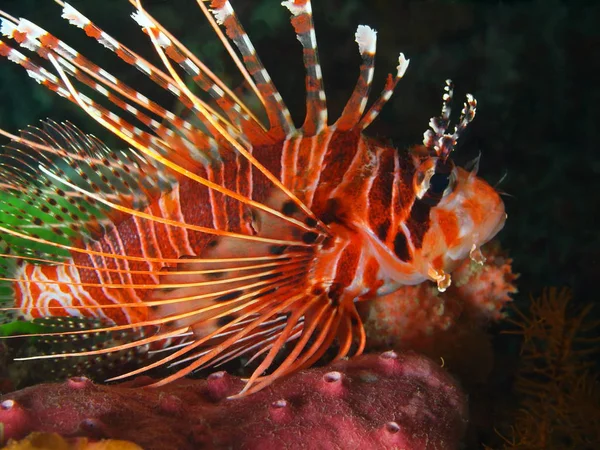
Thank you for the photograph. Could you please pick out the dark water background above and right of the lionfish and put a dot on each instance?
(532, 65)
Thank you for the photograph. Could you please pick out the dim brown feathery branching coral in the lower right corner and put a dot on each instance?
(556, 381)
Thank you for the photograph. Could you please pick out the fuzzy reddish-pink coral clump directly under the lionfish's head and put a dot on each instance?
(448, 325)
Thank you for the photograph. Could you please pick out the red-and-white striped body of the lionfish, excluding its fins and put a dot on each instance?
(360, 195)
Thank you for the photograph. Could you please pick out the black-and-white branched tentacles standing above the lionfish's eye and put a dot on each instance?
(437, 140)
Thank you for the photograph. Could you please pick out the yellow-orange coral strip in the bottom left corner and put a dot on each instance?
(53, 441)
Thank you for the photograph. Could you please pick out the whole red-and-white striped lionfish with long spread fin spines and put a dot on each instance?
(213, 235)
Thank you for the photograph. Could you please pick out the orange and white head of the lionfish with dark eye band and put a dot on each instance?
(464, 213)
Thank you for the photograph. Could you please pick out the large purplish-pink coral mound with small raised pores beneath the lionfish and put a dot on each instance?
(390, 400)
